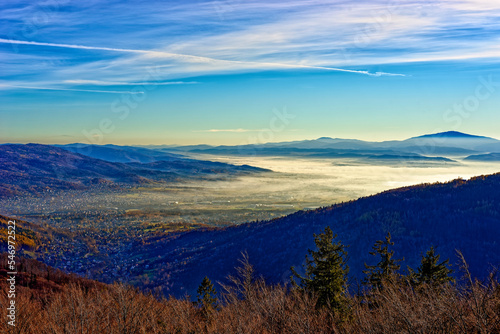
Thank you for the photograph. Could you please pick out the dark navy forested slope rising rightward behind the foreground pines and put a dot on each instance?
(458, 215)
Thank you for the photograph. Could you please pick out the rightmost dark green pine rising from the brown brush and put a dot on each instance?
(431, 271)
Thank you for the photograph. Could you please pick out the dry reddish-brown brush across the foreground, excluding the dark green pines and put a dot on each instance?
(49, 301)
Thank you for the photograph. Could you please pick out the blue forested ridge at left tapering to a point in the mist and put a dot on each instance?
(35, 168)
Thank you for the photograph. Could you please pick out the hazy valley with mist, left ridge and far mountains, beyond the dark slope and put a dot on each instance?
(138, 186)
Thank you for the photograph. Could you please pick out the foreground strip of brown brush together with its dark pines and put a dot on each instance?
(319, 300)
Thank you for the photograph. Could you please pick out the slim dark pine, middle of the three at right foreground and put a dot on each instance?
(386, 268)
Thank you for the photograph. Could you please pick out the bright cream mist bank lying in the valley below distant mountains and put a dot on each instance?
(318, 182)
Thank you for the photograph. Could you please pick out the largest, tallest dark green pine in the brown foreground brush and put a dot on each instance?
(326, 271)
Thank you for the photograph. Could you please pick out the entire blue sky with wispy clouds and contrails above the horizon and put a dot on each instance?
(231, 71)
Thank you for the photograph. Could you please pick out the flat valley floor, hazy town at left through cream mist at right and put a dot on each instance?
(296, 184)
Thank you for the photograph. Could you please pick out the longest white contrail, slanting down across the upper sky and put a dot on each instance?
(192, 58)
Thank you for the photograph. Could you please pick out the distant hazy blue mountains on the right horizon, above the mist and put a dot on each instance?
(438, 147)
